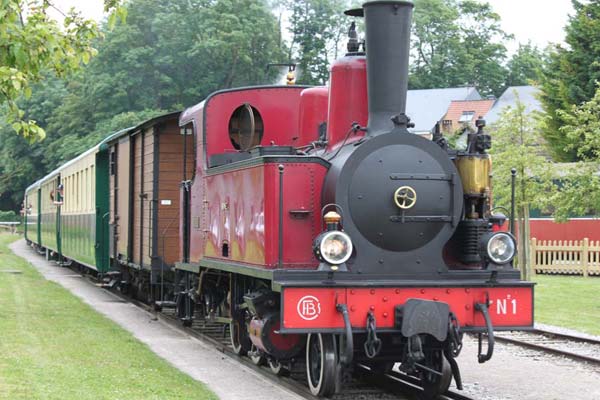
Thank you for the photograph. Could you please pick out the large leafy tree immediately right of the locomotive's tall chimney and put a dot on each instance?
(455, 43)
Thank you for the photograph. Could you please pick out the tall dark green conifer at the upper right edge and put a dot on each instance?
(570, 75)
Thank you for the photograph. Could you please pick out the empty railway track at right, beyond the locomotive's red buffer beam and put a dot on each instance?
(573, 347)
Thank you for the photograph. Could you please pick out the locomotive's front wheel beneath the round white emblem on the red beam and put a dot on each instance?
(321, 364)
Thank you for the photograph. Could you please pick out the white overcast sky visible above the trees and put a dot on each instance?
(538, 21)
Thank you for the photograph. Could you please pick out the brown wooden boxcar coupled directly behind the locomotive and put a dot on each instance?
(146, 171)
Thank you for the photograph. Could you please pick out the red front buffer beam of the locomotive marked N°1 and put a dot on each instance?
(509, 307)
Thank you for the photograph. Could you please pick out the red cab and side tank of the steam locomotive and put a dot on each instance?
(236, 197)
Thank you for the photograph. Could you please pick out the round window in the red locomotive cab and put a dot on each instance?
(245, 128)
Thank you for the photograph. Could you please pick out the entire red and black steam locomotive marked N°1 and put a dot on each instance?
(315, 221)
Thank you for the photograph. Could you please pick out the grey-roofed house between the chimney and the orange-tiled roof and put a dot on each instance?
(426, 107)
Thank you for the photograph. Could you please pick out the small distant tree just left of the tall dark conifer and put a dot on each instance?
(525, 66)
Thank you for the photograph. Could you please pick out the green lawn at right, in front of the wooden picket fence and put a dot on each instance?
(568, 301)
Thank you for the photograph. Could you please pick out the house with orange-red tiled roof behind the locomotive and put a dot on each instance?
(463, 114)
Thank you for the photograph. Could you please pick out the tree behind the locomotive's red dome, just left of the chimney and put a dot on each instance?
(317, 28)
